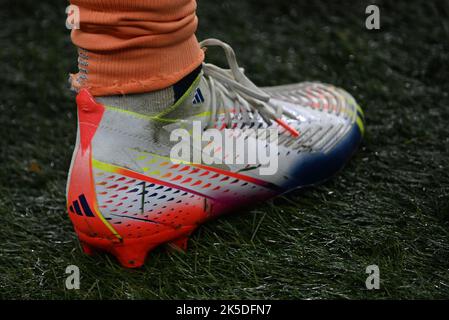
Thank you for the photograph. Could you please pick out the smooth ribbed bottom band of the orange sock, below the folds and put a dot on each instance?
(136, 70)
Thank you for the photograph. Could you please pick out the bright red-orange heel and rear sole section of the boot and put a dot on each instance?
(129, 242)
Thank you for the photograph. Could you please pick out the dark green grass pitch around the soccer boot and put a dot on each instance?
(390, 205)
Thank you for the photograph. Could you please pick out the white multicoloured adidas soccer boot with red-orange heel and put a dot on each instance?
(138, 180)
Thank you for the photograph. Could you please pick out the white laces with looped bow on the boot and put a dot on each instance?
(234, 84)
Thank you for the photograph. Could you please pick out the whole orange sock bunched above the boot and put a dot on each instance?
(135, 46)
